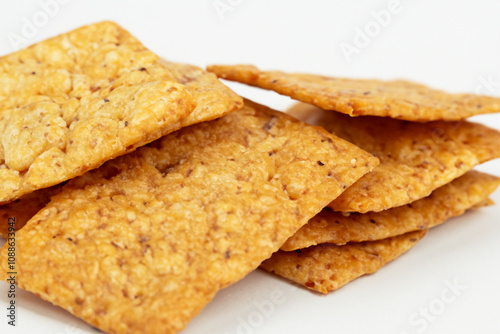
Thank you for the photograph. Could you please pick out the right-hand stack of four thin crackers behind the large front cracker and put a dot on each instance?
(426, 153)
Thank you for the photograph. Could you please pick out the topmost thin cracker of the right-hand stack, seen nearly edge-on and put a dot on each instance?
(397, 99)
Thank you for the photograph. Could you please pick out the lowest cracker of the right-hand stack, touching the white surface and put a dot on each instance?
(327, 267)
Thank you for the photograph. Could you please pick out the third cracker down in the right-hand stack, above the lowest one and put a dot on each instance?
(450, 200)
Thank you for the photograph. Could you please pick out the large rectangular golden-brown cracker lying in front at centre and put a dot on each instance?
(145, 245)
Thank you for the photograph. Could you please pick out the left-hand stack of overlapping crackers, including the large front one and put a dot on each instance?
(125, 223)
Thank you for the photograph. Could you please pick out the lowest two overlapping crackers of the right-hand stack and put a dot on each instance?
(332, 248)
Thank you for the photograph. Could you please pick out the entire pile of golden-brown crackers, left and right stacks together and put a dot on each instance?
(133, 189)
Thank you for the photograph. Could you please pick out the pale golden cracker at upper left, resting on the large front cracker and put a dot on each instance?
(70, 103)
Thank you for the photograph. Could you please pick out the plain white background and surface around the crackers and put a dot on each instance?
(451, 45)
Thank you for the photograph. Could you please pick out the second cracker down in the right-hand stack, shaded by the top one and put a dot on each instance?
(415, 158)
